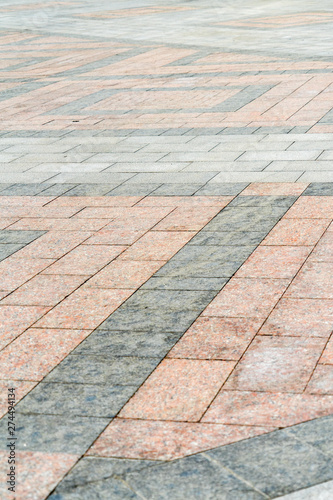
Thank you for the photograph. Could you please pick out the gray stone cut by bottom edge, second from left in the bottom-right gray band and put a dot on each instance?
(195, 478)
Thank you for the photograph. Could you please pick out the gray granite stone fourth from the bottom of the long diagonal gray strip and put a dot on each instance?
(139, 344)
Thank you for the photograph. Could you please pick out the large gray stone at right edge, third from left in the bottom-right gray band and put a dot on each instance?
(275, 463)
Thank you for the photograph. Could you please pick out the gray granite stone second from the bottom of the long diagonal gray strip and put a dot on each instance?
(80, 400)
